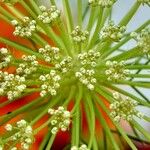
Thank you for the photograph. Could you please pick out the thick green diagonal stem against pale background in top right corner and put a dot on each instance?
(130, 14)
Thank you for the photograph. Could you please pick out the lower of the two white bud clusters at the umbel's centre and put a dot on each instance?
(86, 77)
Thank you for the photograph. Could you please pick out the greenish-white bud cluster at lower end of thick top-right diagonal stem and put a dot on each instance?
(112, 32)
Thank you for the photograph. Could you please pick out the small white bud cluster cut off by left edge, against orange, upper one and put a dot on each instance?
(5, 57)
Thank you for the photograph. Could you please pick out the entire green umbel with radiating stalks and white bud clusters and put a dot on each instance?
(84, 66)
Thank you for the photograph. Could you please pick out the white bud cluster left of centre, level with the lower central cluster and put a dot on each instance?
(50, 83)
